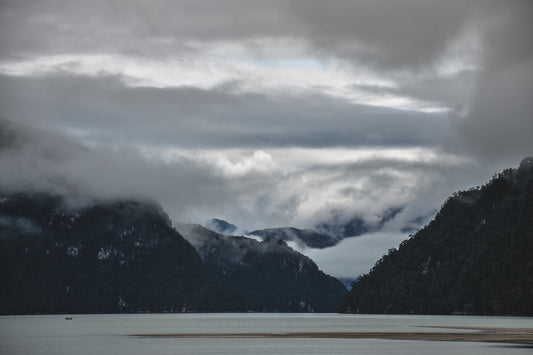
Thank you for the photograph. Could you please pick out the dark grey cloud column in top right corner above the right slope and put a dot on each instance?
(498, 120)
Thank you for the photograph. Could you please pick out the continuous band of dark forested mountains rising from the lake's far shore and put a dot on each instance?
(125, 256)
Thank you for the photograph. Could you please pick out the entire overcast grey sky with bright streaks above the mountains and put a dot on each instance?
(267, 113)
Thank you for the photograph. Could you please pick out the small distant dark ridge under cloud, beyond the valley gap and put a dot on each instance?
(302, 237)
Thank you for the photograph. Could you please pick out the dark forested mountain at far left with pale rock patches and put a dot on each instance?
(120, 256)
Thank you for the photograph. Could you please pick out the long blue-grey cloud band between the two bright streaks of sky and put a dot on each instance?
(195, 118)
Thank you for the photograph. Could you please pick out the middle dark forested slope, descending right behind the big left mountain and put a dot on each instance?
(269, 275)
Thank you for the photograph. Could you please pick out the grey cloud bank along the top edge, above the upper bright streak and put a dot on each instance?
(390, 34)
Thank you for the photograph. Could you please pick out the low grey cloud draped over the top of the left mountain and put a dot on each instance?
(40, 160)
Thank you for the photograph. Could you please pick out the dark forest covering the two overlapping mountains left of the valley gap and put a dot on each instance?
(125, 256)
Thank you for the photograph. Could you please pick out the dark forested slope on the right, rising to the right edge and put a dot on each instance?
(474, 257)
